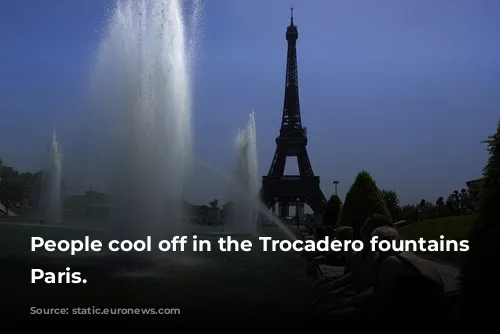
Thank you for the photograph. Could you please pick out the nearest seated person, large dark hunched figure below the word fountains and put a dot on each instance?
(408, 286)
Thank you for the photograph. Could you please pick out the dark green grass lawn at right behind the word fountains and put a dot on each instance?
(453, 228)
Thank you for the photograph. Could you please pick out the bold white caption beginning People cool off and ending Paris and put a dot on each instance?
(225, 244)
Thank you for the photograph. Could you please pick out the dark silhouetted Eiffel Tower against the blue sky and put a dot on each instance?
(292, 142)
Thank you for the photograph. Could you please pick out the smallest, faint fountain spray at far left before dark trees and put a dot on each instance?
(52, 188)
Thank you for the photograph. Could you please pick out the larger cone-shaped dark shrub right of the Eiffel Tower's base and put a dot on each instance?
(363, 199)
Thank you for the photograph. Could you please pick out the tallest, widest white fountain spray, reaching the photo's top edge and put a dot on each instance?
(142, 89)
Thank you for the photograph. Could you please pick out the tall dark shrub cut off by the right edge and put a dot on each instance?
(478, 277)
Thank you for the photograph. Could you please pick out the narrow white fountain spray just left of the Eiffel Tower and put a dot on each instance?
(243, 217)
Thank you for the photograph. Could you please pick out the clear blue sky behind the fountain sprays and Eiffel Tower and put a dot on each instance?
(404, 89)
